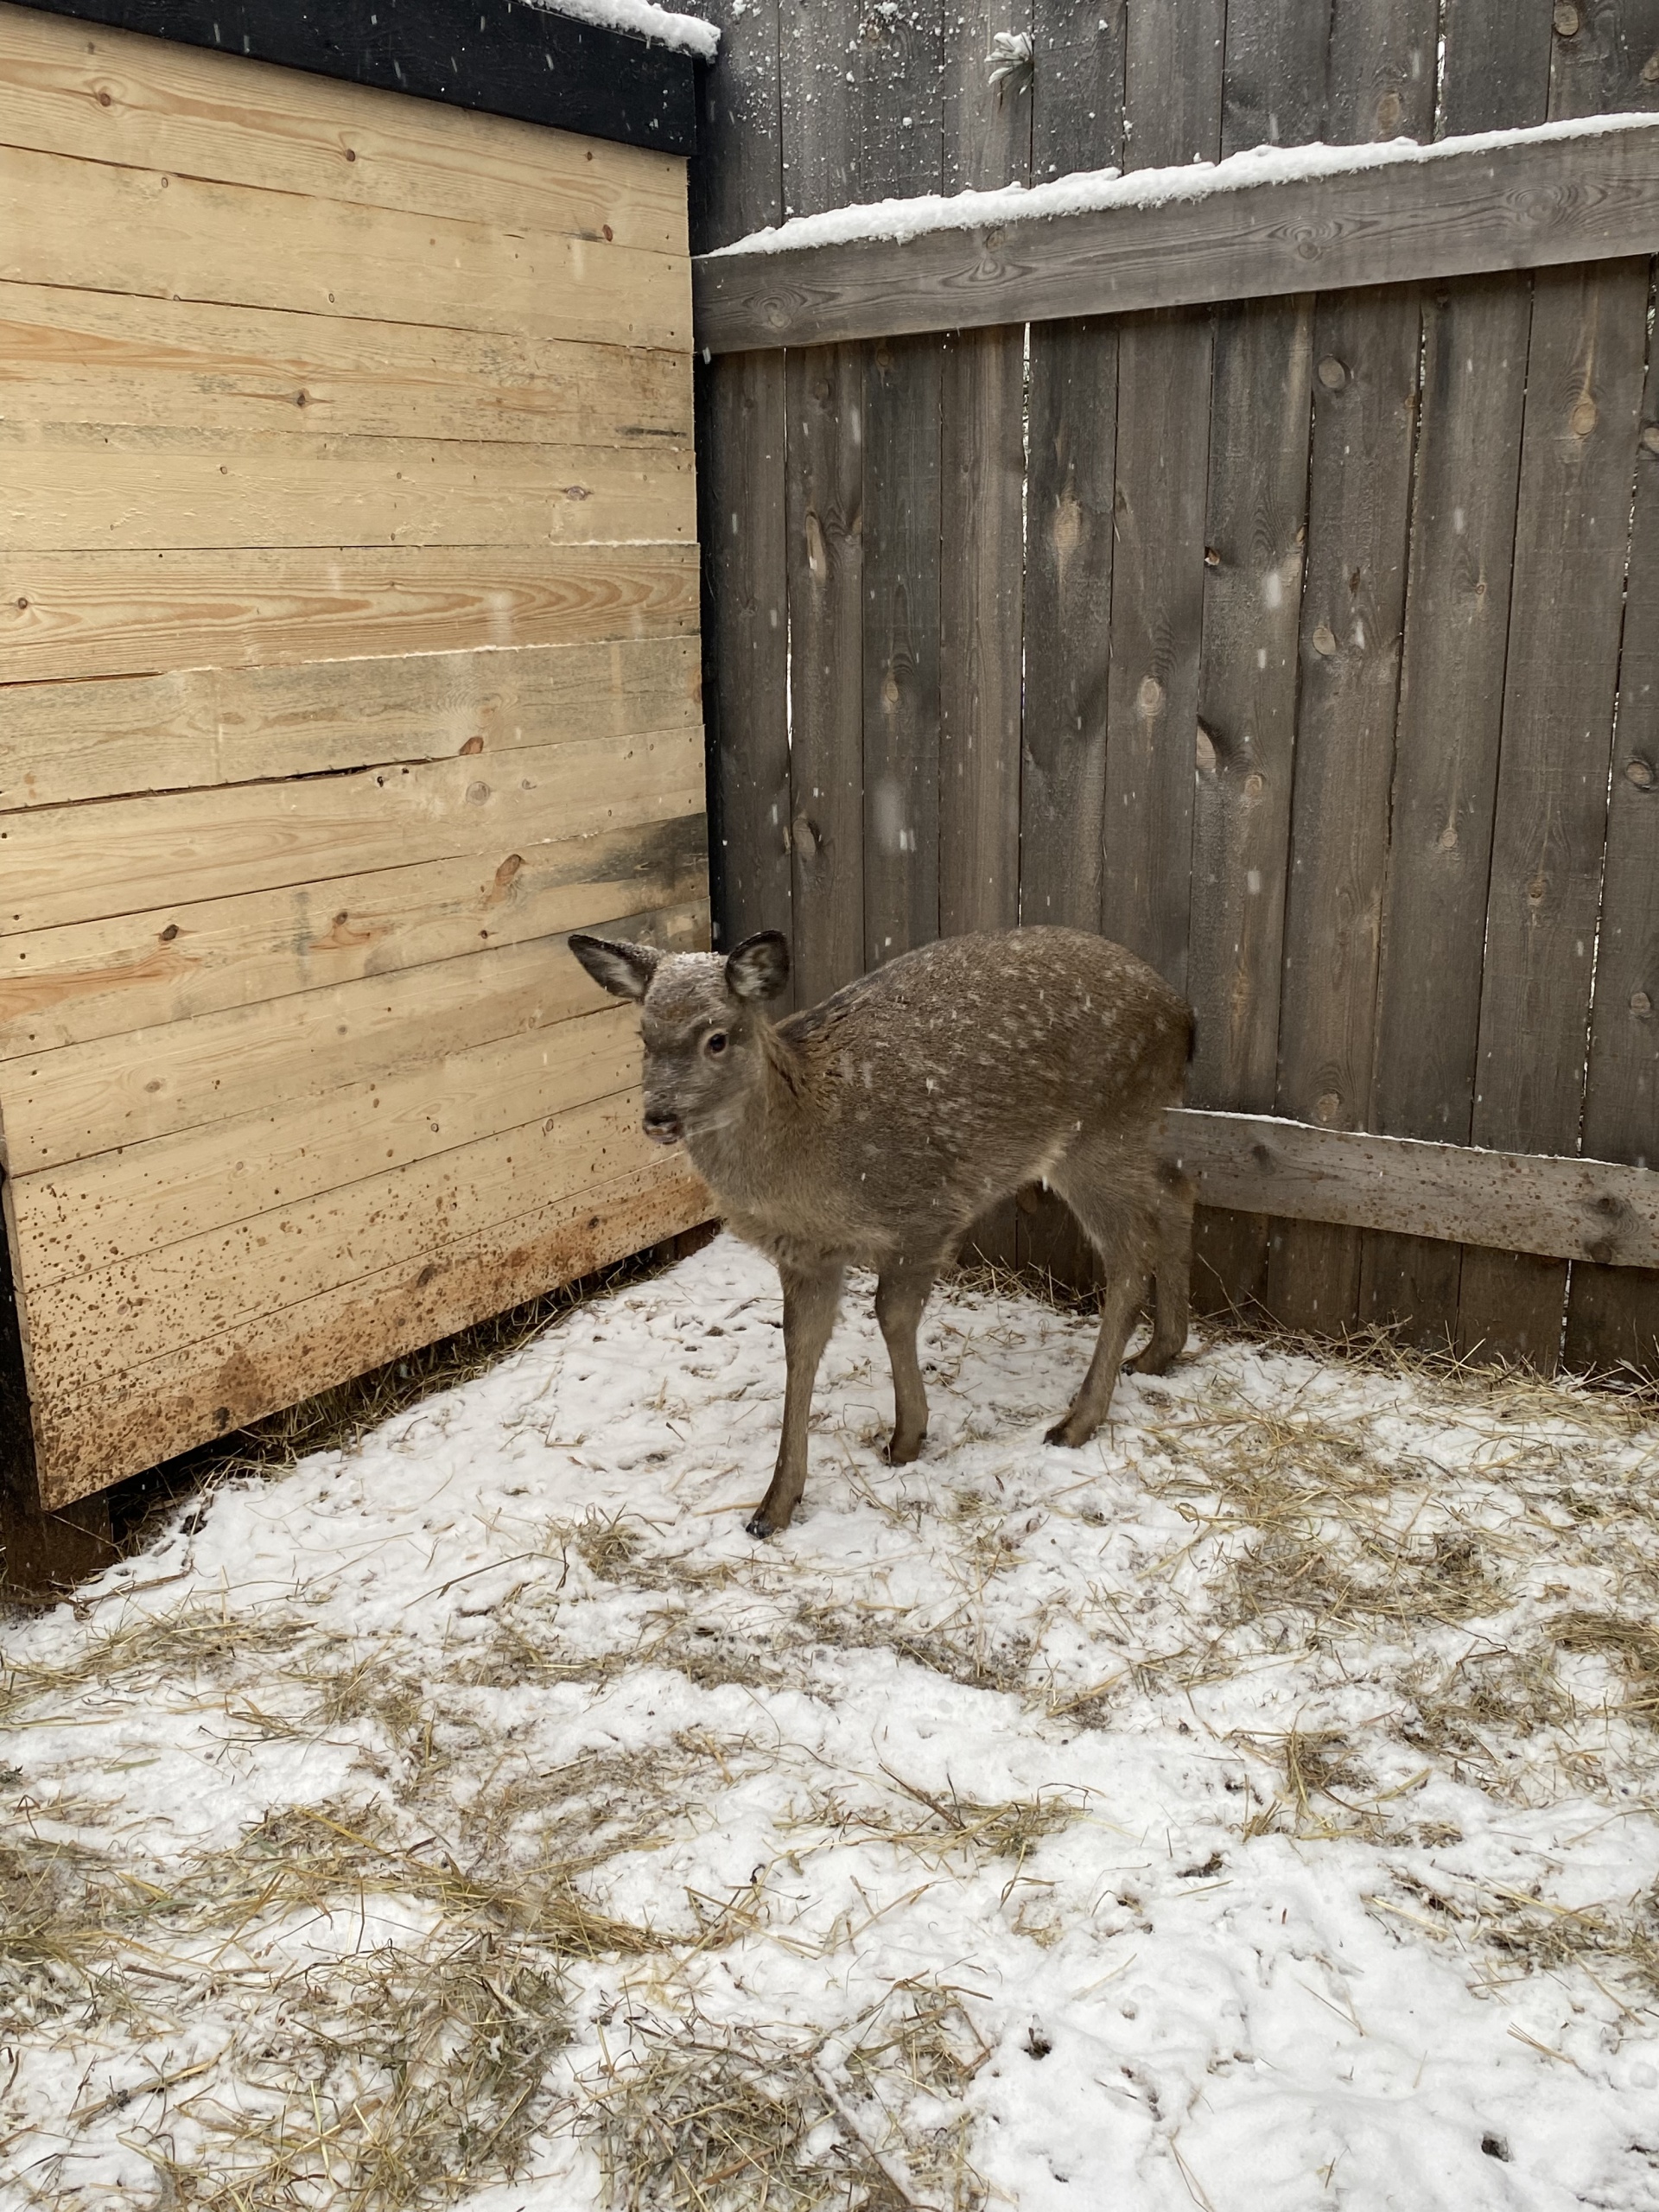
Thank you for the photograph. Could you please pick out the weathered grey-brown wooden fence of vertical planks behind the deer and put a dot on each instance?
(1304, 643)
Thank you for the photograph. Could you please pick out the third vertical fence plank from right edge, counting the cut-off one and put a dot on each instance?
(1452, 682)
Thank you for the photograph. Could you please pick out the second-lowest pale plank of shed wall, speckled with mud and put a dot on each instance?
(202, 1288)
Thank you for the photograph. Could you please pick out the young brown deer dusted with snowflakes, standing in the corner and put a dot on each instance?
(877, 1127)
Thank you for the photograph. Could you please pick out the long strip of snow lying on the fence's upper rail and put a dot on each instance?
(1096, 189)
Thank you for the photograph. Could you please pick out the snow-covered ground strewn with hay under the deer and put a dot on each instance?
(1253, 1811)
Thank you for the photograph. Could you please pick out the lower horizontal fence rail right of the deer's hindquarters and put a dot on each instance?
(1521, 1200)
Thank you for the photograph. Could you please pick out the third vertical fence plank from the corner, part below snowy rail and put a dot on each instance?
(901, 656)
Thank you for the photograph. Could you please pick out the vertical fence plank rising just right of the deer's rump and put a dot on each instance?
(1255, 539)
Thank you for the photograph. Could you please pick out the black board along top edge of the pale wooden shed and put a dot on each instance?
(528, 63)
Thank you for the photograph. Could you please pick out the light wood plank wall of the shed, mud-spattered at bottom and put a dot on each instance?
(348, 658)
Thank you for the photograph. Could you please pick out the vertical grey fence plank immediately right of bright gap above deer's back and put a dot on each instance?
(1076, 123)
